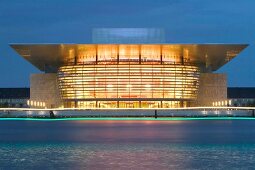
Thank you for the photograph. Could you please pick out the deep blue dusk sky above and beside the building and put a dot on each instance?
(184, 21)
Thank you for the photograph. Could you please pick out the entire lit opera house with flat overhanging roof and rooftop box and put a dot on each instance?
(128, 68)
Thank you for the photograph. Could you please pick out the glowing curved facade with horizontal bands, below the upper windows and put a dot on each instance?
(114, 82)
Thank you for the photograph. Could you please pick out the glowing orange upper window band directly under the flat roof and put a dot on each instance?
(127, 54)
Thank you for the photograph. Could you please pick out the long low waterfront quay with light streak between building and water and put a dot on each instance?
(153, 112)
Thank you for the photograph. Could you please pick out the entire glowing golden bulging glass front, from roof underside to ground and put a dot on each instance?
(128, 76)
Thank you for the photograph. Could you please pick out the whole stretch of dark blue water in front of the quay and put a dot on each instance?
(122, 144)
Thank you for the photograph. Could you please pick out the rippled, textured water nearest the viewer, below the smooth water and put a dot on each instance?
(126, 156)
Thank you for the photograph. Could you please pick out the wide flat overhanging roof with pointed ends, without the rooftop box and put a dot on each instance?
(212, 56)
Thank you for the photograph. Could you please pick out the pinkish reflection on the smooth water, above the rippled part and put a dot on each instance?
(128, 131)
